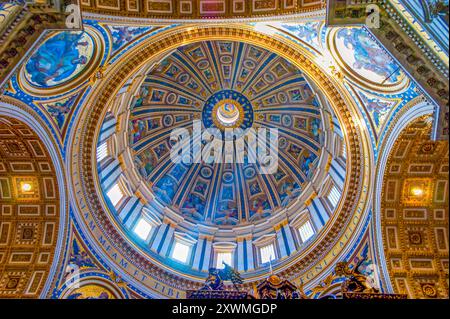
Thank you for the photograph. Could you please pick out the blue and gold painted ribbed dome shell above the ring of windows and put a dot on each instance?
(225, 84)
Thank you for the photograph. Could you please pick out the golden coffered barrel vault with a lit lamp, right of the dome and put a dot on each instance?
(415, 213)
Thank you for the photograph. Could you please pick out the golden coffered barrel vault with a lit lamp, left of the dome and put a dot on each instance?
(29, 211)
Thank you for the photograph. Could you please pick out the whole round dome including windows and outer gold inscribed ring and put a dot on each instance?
(150, 206)
